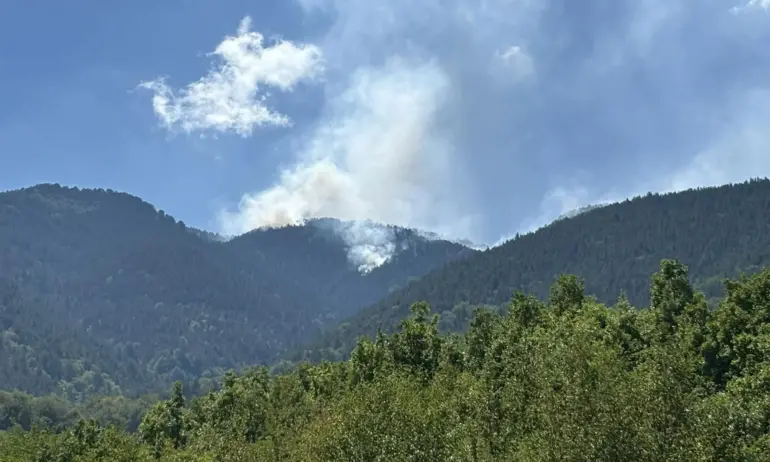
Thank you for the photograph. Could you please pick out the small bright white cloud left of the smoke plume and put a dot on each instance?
(231, 97)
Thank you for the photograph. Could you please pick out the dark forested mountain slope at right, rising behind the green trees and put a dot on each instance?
(718, 232)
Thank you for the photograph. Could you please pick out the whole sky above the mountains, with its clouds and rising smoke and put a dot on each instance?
(473, 118)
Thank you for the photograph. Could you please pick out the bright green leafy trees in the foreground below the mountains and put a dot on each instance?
(568, 378)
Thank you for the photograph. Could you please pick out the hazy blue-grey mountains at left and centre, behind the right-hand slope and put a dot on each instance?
(102, 293)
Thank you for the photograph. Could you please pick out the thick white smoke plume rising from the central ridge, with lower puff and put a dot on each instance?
(377, 157)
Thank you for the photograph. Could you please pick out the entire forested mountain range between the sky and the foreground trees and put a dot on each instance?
(129, 299)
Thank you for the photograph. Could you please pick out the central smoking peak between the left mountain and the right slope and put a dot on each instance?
(314, 257)
